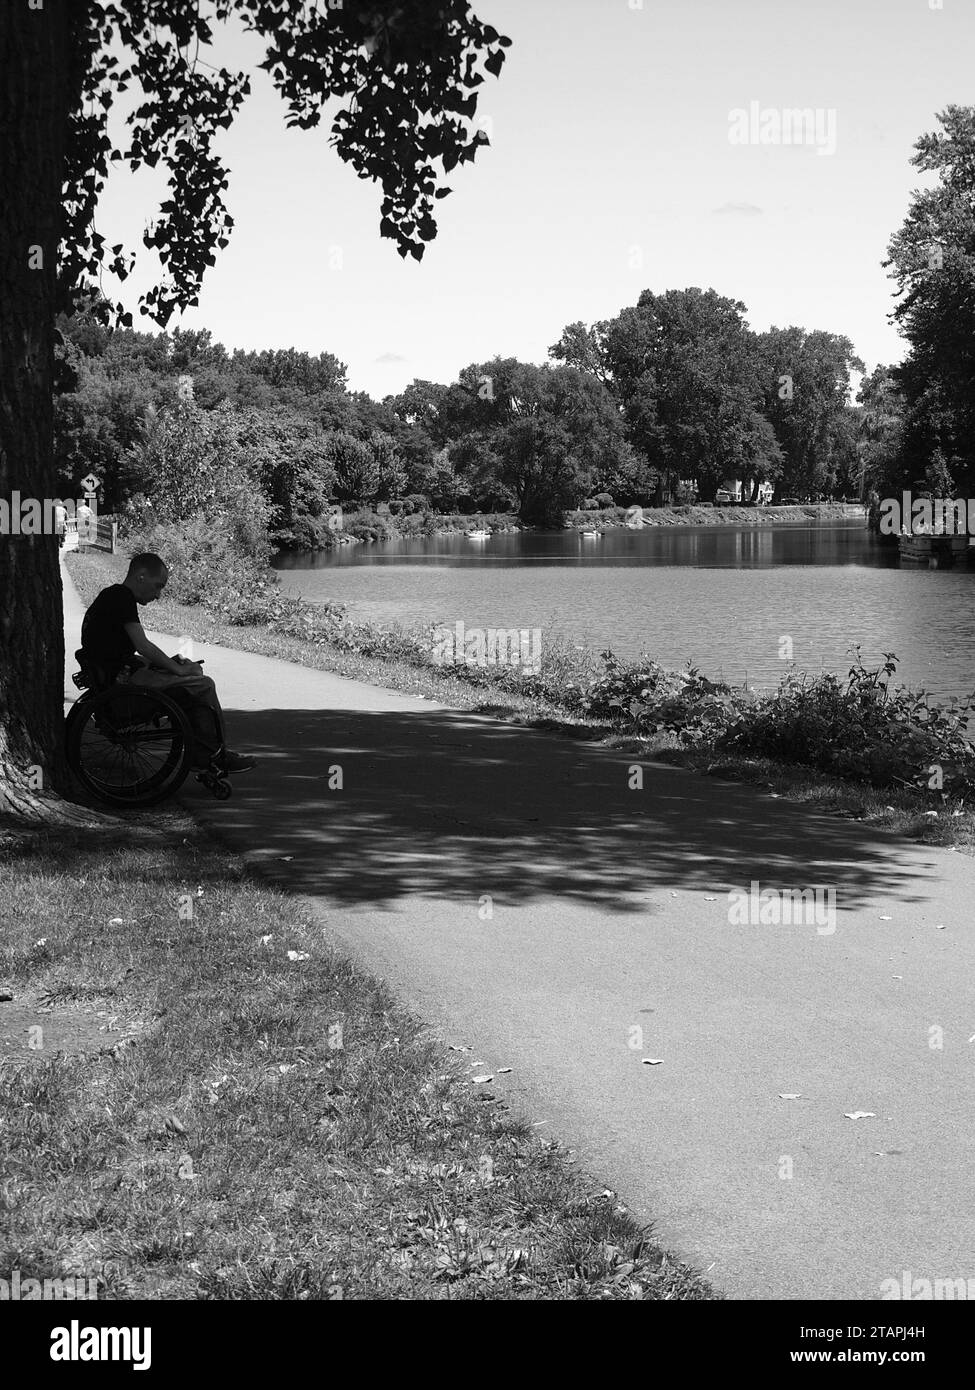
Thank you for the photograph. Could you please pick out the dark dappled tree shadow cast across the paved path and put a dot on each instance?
(451, 806)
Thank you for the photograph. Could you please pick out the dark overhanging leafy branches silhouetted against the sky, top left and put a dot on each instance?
(408, 72)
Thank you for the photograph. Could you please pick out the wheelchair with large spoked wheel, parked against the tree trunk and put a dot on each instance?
(131, 747)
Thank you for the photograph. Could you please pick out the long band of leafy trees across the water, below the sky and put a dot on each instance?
(674, 389)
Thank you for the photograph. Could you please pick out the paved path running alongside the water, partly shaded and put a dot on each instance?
(610, 914)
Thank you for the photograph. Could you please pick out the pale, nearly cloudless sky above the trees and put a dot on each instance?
(617, 165)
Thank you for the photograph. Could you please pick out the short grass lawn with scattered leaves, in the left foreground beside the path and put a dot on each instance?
(239, 1114)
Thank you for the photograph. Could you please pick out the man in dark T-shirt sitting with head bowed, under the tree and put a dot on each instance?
(115, 644)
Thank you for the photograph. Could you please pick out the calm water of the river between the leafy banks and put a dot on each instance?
(721, 597)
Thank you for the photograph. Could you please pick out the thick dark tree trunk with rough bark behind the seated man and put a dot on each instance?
(35, 104)
